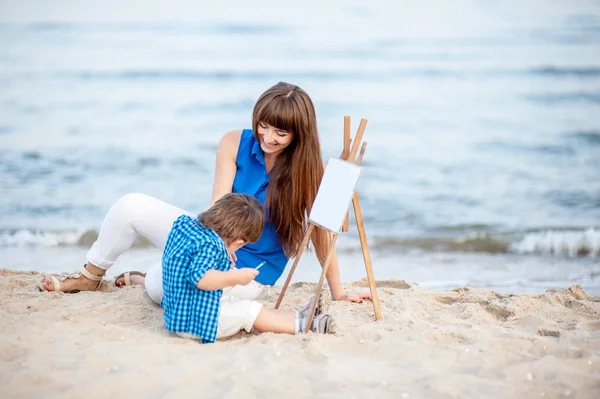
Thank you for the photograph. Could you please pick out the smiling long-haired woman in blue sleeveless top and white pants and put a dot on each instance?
(278, 162)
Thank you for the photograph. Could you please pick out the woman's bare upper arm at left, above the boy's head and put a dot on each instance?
(226, 168)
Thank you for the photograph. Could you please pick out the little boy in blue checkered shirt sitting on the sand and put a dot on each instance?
(196, 266)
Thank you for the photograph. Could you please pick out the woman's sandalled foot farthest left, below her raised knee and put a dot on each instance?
(88, 279)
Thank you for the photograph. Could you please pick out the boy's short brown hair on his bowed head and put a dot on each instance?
(235, 216)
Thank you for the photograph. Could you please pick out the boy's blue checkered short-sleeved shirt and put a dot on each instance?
(191, 251)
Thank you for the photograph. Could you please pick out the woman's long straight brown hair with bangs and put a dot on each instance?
(298, 170)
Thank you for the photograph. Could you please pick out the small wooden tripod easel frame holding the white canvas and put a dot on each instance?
(348, 155)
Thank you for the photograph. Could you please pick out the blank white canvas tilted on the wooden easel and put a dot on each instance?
(335, 193)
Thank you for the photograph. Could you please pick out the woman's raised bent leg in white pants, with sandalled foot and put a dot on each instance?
(131, 215)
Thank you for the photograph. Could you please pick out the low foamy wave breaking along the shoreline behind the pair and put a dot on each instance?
(564, 243)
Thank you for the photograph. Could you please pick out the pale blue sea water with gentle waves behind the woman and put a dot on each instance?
(483, 158)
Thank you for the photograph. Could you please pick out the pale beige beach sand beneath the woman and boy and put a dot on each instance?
(464, 343)
